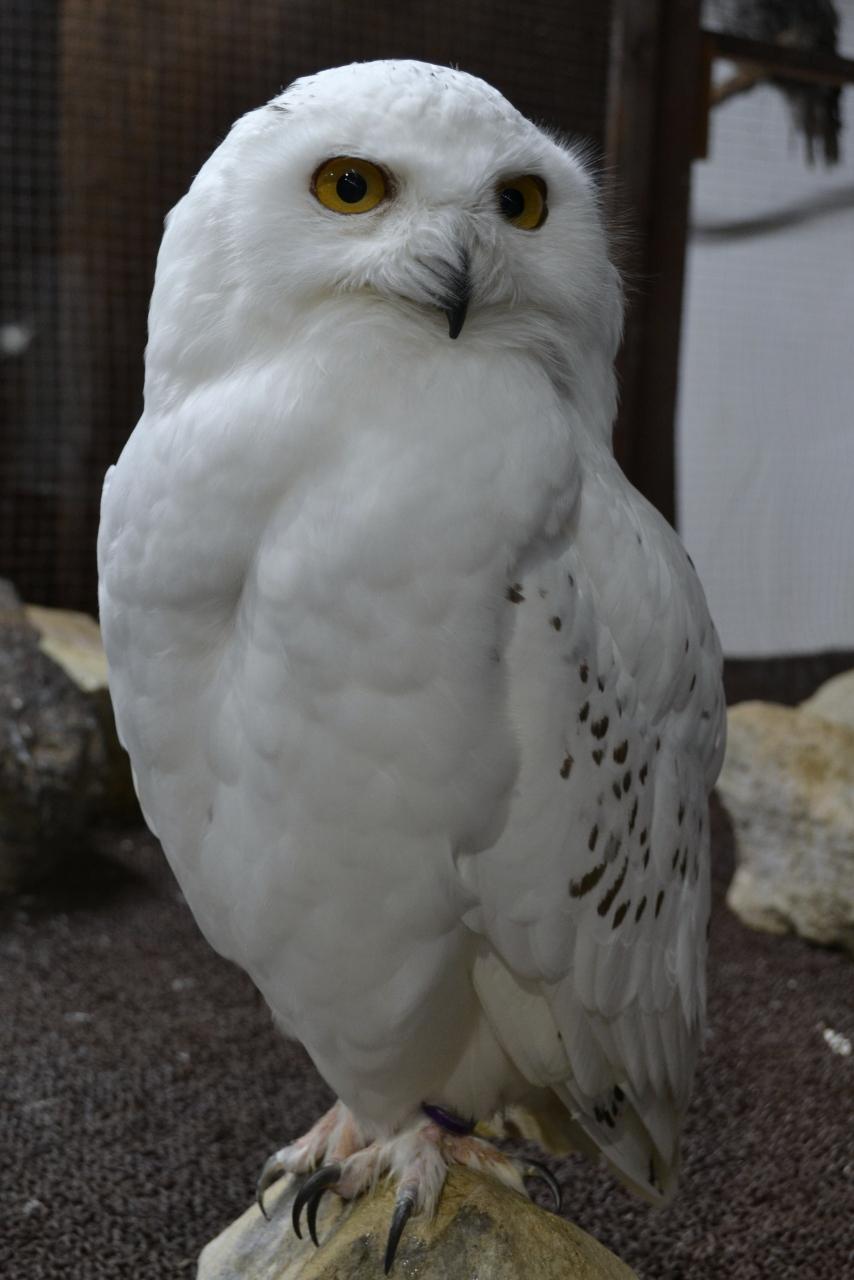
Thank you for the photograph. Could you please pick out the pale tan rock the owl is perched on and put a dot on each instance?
(482, 1232)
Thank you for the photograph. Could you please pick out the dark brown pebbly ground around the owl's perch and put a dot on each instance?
(144, 1085)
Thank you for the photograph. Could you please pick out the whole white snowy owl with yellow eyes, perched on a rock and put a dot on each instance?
(422, 697)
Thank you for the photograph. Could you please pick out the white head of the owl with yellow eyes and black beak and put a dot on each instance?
(398, 195)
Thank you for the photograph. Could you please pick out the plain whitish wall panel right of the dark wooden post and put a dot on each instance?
(766, 412)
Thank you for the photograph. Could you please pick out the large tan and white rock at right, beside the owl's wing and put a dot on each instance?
(788, 784)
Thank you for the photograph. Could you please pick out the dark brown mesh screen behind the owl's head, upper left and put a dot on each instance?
(108, 108)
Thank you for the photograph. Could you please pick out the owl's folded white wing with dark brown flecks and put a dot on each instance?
(595, 903)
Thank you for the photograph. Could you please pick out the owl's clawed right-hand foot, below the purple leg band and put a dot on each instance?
(419, 1162)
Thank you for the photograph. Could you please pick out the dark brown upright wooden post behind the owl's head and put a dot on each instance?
(651, 139)
